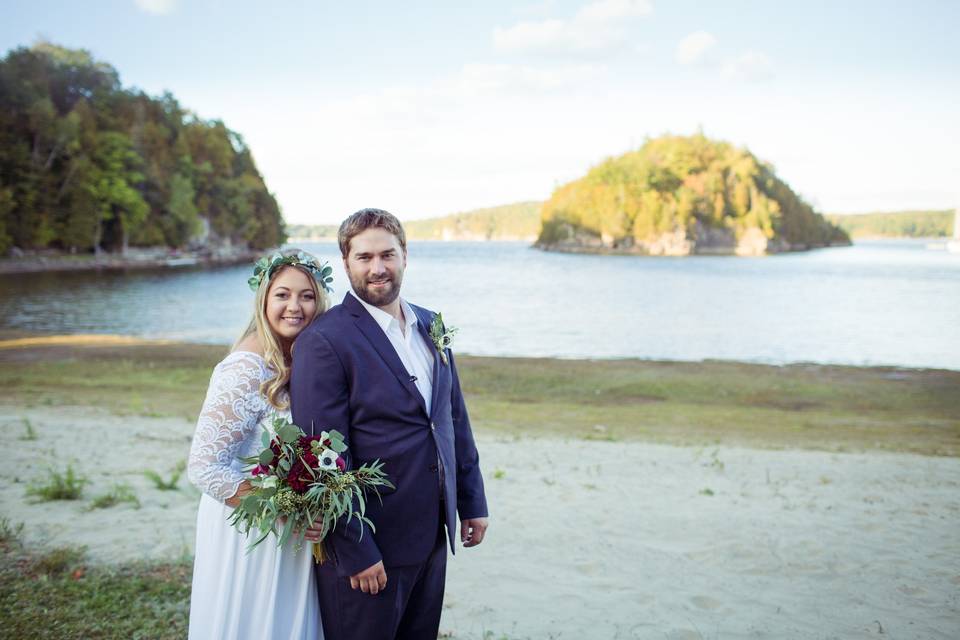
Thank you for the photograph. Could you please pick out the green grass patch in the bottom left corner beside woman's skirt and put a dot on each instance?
(53, 595)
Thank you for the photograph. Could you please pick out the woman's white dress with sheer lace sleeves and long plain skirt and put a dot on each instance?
(269, 593)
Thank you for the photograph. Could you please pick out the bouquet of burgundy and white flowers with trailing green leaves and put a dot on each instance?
(298, 480)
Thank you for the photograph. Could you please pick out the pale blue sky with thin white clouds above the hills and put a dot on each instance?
(428, 108)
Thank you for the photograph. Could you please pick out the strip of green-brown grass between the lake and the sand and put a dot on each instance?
(690, 403)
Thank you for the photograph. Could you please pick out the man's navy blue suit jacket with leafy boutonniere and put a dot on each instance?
(347, 376)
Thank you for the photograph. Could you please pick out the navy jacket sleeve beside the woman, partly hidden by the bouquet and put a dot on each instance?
(319, 400)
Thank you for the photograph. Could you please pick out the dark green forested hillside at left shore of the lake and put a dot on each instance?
(88, 165)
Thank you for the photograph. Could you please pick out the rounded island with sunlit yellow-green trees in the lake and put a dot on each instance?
(681, 195)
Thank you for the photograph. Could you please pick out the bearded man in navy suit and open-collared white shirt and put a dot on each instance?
(371, 369)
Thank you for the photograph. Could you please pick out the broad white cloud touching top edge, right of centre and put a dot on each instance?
(596, 26)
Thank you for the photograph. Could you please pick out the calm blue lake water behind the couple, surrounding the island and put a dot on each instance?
(892, 302)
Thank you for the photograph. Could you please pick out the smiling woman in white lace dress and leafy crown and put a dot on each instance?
(268, 593)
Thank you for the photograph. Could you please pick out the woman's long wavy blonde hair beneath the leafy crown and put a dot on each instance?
(273, 352)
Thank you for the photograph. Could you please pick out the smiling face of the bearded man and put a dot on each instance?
(375, 266)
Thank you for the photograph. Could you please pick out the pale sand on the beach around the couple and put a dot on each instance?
(592, 539)
